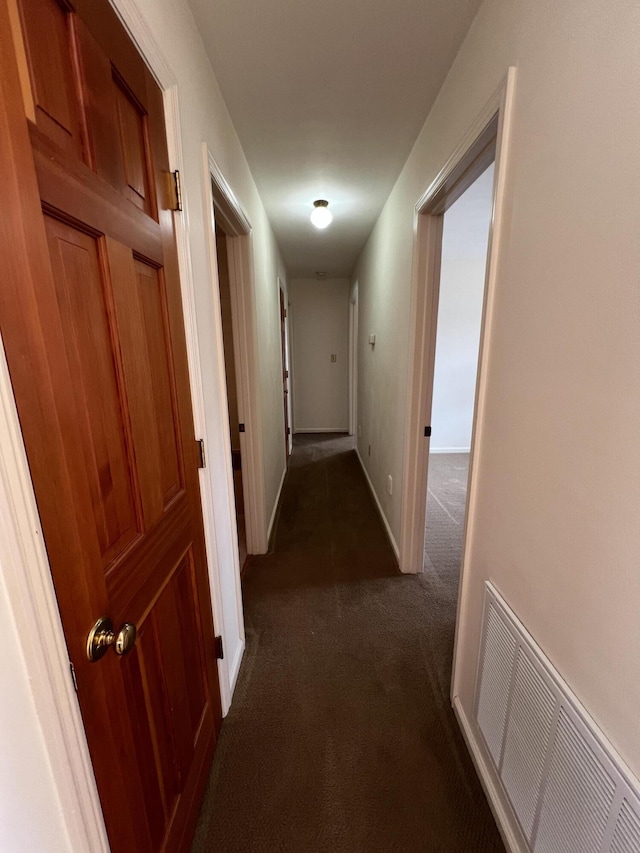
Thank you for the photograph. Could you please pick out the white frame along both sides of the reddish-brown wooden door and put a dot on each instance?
(23, 559)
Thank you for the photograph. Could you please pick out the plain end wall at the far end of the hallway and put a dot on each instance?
(320, 325)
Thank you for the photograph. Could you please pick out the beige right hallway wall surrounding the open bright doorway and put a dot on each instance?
(559, 472)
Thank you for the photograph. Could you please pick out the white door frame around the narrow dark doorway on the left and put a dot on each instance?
(240, 259)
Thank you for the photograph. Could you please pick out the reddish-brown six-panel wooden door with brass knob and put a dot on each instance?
(90, 315)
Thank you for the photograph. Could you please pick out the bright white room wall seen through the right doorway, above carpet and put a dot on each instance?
(464, 255)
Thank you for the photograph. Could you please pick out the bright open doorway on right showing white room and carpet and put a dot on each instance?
(465, 237)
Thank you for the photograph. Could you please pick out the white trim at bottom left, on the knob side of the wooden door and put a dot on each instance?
(27, 575)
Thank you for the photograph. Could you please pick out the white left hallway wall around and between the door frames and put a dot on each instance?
(203, 118)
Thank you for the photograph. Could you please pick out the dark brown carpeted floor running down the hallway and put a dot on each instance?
(341, 737)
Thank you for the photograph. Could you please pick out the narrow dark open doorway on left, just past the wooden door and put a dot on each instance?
(226, 312)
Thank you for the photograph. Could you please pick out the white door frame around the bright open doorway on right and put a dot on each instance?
(487, 137)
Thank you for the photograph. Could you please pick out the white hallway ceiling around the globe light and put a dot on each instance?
(327, 97)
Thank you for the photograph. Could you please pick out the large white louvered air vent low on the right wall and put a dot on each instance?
(567, 788)
